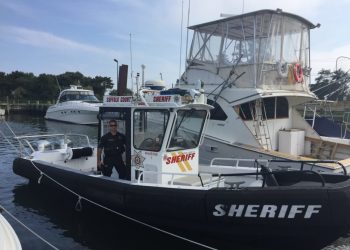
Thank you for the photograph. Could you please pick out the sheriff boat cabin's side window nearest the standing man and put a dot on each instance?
(149, 129)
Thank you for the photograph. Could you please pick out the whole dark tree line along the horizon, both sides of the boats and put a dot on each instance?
(17, 85)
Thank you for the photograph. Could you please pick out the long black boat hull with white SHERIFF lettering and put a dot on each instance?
(283, 217)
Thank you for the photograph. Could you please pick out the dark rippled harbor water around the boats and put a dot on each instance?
(51, 213)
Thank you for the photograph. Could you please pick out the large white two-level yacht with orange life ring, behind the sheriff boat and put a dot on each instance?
(255, 69)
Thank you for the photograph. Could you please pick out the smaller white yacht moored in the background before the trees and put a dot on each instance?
(75, 105)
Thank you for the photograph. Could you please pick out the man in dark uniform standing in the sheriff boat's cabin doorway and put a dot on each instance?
(113, 145)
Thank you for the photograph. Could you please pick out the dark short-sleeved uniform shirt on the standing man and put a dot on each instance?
(113, 145)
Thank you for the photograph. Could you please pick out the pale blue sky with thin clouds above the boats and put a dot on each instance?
(52, 37)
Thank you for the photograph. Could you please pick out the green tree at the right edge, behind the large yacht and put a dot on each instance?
(332, 85)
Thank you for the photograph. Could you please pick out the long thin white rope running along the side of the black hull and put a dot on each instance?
(79, 206)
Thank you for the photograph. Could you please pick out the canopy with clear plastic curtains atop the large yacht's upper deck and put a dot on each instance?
(270, 47)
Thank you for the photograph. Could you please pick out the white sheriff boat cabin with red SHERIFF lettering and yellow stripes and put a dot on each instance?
(163, 133)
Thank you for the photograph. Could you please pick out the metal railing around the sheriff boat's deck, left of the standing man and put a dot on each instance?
(47, 142)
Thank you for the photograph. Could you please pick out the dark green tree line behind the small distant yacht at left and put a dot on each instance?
(19, 85)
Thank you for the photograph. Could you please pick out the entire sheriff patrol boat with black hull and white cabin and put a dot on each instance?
(215, 206)
